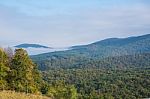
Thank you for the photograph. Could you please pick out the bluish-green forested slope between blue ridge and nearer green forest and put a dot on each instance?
(117, 62)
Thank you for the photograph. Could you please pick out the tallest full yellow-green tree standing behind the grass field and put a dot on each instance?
(22, 71)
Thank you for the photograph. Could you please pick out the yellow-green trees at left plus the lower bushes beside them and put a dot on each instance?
(19, 73)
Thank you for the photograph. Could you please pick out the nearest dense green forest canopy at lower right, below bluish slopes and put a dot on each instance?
(103, 84)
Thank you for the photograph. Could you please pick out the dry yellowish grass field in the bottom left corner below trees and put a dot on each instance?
(15, 95)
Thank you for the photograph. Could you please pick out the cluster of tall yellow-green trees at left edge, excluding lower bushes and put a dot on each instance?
(18, 72)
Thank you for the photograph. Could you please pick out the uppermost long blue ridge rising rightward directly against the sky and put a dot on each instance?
(106, 48)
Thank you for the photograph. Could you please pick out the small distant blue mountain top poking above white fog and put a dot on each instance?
(31, 46)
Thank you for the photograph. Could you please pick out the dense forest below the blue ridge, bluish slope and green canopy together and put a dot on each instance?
(120, 77)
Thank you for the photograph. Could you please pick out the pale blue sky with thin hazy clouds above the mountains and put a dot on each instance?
(62, 23)
